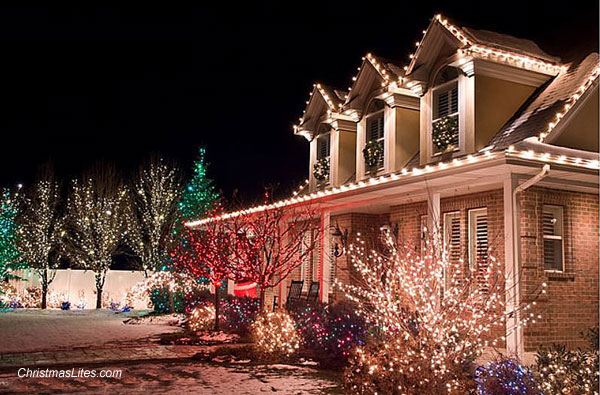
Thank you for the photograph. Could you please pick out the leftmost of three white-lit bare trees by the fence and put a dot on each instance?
(41, 227)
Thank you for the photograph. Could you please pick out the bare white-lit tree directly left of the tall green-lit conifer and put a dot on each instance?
(156, 192)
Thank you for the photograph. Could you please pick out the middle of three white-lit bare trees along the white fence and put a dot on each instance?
(97, 214)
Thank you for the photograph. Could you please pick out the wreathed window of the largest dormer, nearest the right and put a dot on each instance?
(445, 118)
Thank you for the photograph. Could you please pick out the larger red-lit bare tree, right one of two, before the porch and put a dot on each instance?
(270, 244)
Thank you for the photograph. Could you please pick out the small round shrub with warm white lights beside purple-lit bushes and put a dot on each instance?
(275, 335)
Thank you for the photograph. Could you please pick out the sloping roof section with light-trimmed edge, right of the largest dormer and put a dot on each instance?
(548, 104)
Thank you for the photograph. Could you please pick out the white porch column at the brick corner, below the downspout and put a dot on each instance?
(512, 254)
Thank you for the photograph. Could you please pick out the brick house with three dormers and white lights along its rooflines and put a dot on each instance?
(485, 135)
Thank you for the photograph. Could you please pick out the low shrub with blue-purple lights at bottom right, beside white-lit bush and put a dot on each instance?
(505, 377)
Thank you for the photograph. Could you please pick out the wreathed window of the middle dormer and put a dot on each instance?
(375, 138)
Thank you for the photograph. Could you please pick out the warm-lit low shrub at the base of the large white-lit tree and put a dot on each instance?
(397, 366)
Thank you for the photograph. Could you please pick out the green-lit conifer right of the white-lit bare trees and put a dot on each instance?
(200, 197)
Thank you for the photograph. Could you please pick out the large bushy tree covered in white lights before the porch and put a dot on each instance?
(435, 317)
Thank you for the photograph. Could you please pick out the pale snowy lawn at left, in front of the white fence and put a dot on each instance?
(28, 330)
